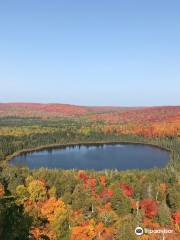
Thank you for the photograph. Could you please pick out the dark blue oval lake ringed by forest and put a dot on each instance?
(107, 156)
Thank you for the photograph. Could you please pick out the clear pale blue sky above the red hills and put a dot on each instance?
(90, 52)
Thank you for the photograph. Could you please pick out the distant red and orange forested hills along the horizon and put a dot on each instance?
(145, 121)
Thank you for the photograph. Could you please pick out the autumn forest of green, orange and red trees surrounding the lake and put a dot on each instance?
(87, 205)
